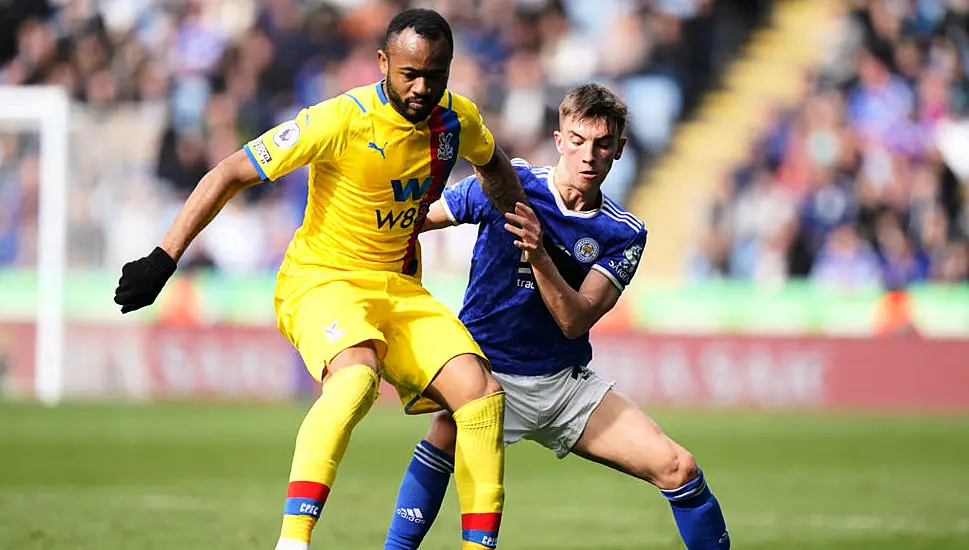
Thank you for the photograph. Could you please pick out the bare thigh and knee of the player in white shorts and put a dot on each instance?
(623, 437)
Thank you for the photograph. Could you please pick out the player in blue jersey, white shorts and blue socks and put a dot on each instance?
(535, 291)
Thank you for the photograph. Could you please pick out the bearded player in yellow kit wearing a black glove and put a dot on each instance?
(348, 294)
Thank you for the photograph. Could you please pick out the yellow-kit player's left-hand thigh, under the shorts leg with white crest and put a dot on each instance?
(333, 323)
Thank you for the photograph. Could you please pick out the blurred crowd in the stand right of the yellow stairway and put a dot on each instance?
(864, 182)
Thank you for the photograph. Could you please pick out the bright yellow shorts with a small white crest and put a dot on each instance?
(325, 311)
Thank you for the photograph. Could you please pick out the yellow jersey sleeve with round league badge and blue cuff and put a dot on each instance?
(317, 134)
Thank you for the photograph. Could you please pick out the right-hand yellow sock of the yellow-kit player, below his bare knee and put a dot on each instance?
(479, 469)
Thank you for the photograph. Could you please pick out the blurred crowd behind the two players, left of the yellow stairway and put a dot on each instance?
(164, 89)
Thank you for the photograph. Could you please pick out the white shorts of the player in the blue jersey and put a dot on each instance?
(552, 409)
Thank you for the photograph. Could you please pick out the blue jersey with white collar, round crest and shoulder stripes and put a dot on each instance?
(503, 308)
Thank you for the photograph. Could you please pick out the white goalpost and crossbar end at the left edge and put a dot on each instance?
(46, 109)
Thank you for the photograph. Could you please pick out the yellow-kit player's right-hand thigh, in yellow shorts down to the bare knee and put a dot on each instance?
(427, 343)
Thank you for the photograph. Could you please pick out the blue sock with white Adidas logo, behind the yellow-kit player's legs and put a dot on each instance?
(420, 496)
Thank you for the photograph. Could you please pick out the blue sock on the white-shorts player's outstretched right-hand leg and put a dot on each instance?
(698, 516)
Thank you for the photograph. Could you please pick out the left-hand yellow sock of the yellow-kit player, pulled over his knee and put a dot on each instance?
(320, 444)
